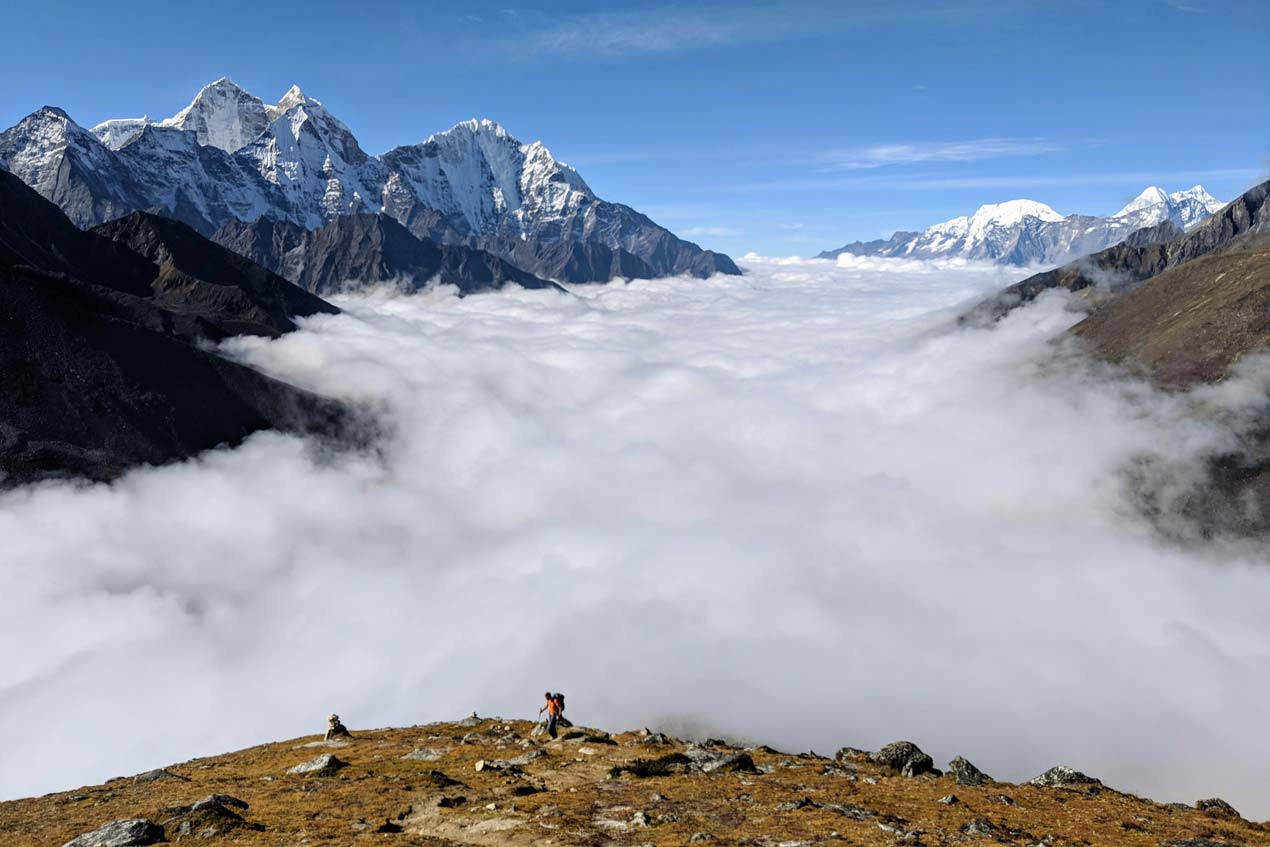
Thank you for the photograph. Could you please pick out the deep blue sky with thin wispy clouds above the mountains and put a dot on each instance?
(784, 129)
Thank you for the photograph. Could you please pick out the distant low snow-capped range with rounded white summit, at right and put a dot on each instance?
(1024, 232)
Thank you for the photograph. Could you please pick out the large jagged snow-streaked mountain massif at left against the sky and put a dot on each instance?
(229, 157)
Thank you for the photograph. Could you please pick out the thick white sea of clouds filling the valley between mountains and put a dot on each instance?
(799, 507)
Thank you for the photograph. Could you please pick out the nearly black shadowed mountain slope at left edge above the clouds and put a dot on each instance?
(101, 365)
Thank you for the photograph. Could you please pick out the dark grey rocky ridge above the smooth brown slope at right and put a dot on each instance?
(1240, 225)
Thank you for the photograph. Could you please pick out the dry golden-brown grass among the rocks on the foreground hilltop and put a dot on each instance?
(578, 804)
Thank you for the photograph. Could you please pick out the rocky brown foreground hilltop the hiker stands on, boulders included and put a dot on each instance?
(487, 782)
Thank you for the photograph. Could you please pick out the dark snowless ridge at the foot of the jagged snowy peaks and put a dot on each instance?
(358, 250)
